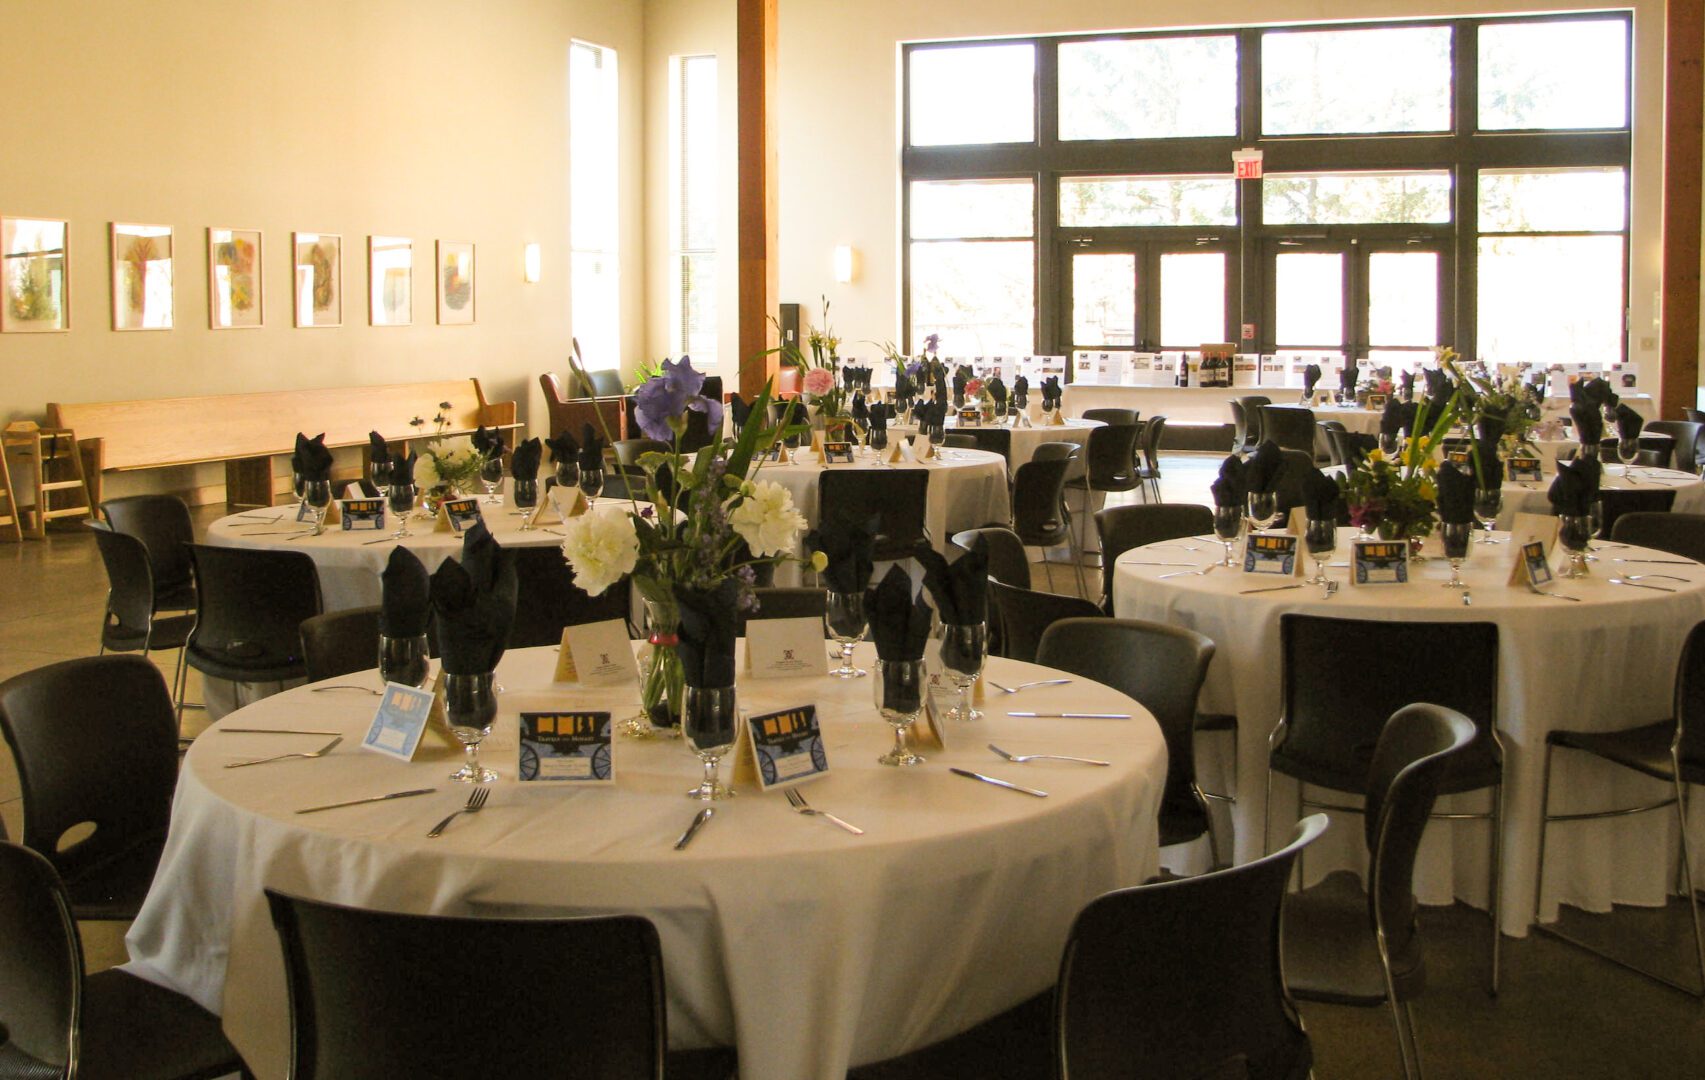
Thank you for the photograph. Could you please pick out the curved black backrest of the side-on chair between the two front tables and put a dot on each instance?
(1418, 752)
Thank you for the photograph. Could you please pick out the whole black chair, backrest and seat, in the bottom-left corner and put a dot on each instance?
(105, 1026)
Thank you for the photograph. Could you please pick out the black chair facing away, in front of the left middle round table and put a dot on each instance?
(250, 612)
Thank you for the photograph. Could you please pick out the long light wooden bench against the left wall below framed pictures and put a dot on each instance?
(248, 431)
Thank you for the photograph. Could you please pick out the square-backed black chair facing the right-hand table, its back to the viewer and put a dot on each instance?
(1344, 678)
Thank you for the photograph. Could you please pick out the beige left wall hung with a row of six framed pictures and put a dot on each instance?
(424, 119)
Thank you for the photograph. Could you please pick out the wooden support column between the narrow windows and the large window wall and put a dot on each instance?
(760, 279)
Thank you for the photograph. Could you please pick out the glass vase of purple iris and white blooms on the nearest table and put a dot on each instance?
(700, 520)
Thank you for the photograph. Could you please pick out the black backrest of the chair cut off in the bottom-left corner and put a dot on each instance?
(42, 965)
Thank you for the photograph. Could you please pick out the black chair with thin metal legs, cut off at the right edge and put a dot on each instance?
(1672, 752)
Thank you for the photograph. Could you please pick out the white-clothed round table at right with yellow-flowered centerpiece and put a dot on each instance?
(1600, 665)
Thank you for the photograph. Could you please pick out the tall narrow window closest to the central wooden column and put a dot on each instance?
(693, 228)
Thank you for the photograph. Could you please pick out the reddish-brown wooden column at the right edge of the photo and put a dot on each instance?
(1684, 117)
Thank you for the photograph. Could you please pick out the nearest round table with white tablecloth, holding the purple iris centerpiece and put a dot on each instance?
(806, 948)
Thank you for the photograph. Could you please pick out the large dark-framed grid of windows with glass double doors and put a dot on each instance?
(1457, 182)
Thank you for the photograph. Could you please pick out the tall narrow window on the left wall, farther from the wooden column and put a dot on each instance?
(592, 206)
